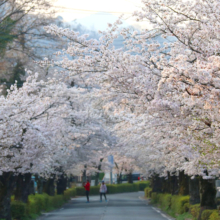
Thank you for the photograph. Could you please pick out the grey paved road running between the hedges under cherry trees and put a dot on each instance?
(125, 206)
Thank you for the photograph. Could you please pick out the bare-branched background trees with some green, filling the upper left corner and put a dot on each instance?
(22, 39)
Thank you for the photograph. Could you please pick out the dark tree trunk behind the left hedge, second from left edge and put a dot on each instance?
(23, 185)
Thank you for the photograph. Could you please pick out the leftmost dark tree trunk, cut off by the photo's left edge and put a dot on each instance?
(7, 183)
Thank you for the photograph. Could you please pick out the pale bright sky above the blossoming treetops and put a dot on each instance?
(95, 14)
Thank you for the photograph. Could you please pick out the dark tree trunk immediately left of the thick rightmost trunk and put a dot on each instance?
(194, 191)
